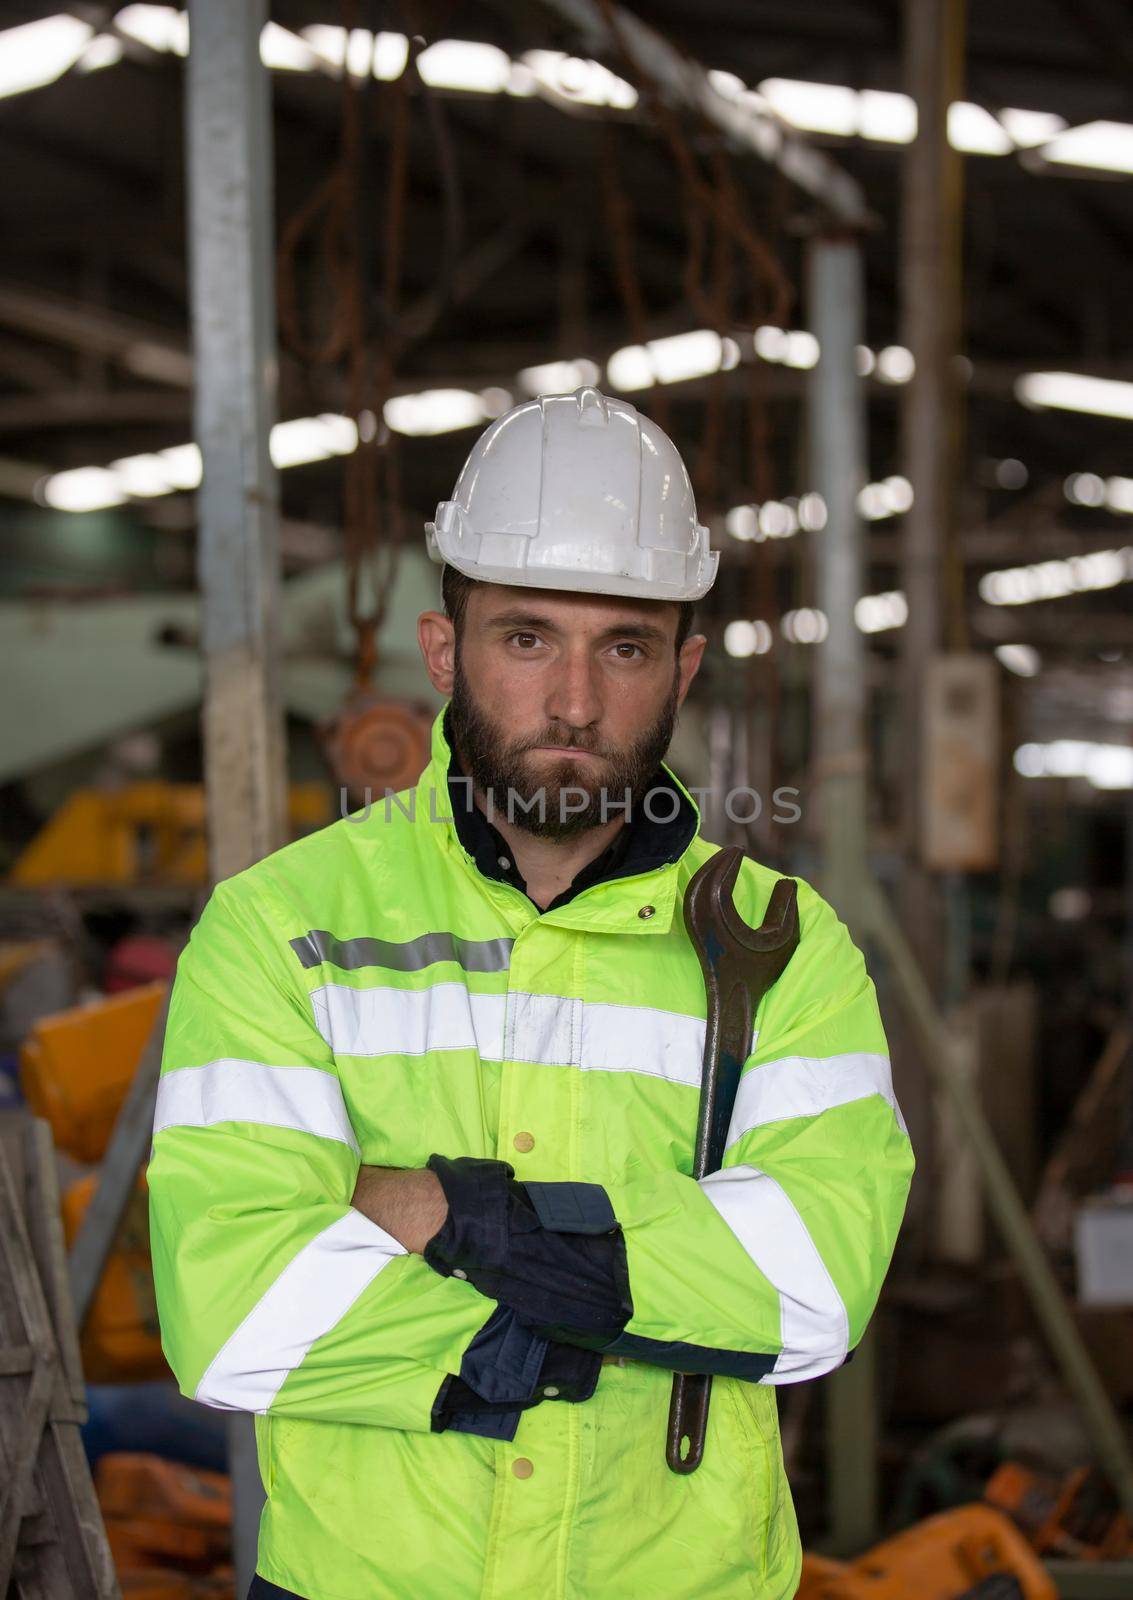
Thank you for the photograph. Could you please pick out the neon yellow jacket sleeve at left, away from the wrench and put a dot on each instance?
(274, 1294)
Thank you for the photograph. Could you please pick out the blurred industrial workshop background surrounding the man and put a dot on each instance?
(870, 265)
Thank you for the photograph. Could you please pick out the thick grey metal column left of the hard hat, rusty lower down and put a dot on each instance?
(230, 150)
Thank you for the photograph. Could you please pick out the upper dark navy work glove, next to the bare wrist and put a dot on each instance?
(553, 1252)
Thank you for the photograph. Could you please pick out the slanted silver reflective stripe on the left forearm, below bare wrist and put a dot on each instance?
(311, 1297)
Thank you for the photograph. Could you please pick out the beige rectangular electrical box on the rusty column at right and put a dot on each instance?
(959, 815)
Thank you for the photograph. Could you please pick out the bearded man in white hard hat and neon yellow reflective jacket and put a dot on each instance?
(420, 1182)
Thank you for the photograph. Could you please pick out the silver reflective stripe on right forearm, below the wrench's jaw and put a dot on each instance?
(814, 1324)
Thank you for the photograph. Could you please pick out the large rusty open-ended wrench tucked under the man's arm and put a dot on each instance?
(740, 966)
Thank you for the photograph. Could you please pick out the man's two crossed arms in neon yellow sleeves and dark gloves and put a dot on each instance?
(292, 1279)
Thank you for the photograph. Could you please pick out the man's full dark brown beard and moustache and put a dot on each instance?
(498, 770)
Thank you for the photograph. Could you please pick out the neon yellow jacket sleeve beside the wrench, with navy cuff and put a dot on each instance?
(771, 1268)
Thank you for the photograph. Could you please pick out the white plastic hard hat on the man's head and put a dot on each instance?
(577, 492)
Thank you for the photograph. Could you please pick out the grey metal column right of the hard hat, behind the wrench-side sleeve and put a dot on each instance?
(838, 470)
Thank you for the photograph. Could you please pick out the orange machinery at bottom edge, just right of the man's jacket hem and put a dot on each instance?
(967, 1554)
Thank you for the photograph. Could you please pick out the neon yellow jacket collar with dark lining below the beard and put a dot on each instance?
(639, 871)
